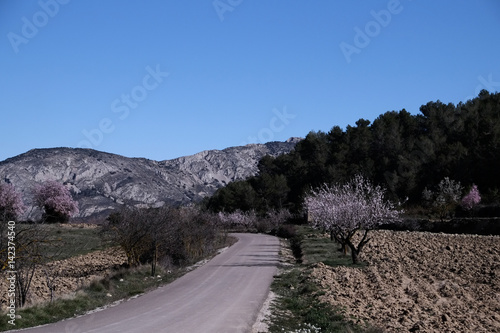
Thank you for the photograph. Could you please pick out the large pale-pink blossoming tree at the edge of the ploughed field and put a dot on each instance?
(344, 209)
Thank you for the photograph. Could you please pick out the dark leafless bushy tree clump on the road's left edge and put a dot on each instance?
(150, 235)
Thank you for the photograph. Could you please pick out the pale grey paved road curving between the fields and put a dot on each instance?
(224, 295)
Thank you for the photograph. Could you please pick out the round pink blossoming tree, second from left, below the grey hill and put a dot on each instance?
(56, 201)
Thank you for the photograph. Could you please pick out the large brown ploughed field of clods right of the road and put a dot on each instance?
(420, 282)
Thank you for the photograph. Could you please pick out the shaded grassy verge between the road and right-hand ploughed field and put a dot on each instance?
(297, 307)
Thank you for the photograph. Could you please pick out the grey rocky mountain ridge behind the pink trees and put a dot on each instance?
(102, 181)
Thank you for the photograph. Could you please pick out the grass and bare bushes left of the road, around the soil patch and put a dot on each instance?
(160, 245)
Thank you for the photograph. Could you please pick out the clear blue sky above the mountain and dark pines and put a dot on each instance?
(163, 79)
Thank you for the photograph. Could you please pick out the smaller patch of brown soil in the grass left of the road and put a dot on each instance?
(70, 274)
